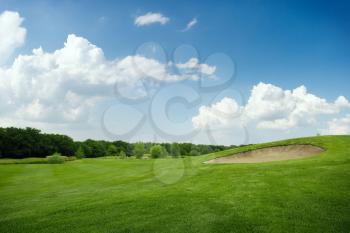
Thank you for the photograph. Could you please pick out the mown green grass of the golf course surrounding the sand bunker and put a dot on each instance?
(181, 195)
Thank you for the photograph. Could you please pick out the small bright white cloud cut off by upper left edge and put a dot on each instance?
(12, 34)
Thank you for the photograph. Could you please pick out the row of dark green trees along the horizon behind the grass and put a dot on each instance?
(29, 142)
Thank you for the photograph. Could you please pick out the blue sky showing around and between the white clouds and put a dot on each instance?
(283, 43)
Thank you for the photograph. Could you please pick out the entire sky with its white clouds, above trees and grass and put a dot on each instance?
(223, 72)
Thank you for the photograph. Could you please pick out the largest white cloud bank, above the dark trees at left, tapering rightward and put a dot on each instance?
(62, 86)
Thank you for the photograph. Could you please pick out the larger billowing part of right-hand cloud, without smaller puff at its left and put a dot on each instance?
(275, 108)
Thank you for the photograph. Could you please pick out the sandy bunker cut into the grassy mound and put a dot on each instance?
(276, 153)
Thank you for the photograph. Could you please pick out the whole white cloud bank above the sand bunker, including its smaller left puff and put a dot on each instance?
(271, 107)
